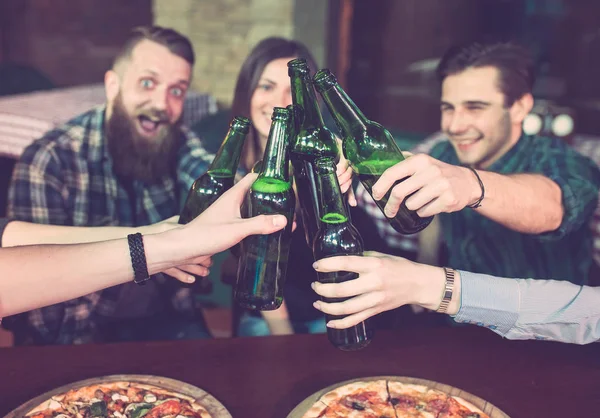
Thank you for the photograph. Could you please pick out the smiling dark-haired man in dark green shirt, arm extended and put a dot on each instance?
(510, 205)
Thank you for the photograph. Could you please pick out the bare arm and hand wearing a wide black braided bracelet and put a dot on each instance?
(55, 271)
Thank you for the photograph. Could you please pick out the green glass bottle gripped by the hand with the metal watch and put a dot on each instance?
(337, 236)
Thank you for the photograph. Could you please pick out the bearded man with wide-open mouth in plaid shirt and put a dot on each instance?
(127, 163)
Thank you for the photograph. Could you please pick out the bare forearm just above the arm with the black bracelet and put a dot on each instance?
(23, 233)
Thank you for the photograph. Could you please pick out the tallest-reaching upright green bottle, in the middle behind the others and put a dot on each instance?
(311, 141)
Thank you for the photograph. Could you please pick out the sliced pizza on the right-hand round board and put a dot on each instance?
(391, 399)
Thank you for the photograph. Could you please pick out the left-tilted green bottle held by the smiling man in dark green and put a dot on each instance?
(368, 146)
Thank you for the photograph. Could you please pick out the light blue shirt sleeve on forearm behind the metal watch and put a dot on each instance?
(531, 309)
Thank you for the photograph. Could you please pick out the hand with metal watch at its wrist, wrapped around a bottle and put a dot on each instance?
(385, 282)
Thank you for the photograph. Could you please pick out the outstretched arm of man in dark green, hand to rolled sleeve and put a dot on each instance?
(561, 196)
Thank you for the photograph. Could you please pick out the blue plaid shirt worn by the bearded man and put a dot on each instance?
(66, 178)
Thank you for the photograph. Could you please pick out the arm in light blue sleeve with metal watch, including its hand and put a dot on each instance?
(514, 308)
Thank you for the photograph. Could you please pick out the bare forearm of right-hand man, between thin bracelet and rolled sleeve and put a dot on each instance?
(528, 203)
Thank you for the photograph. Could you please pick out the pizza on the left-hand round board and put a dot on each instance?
(120, 400)
